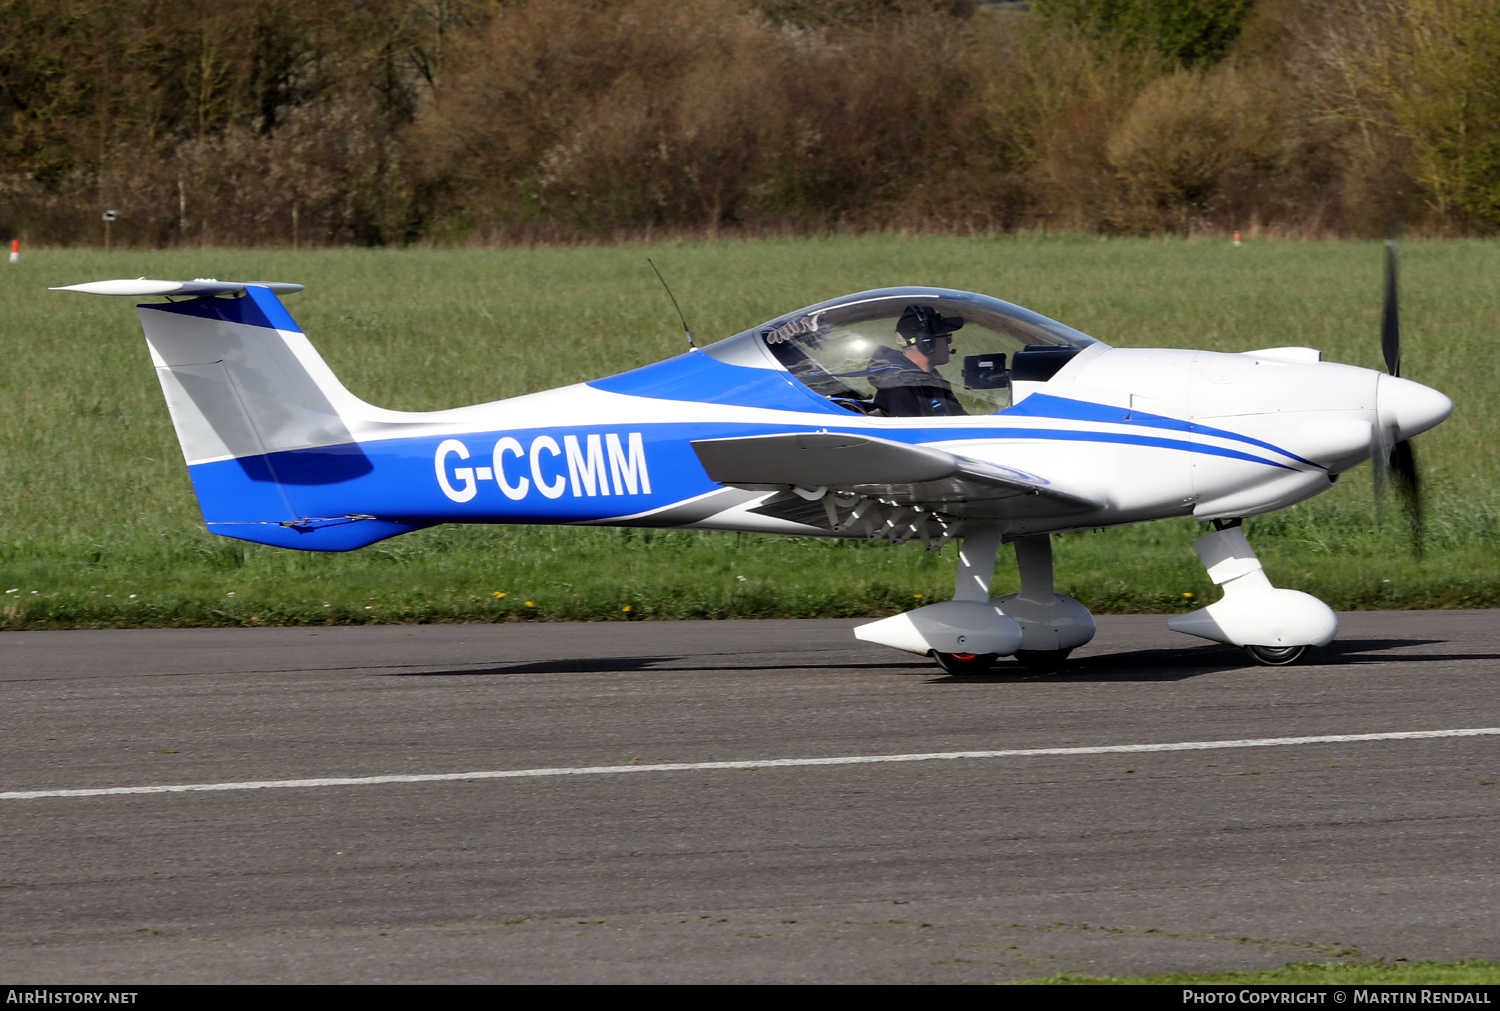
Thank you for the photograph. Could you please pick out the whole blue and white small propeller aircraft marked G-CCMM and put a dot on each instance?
(833, 421)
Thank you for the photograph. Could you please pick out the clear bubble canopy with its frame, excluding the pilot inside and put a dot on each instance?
(835, 347)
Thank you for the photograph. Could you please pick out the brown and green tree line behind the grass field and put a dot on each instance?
(386, 122)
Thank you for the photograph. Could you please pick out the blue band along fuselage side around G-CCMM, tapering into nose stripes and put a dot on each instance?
(565, 476)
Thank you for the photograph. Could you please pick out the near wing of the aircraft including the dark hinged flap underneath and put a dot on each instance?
(808, 467)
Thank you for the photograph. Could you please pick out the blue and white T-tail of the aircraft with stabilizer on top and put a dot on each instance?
(263, 422)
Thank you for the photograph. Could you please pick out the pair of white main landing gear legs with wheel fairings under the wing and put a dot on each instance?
(970, 634)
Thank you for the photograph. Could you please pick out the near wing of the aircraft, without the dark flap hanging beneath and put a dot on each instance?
(896, 472)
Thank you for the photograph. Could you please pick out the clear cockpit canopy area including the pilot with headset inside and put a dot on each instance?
(916, 352)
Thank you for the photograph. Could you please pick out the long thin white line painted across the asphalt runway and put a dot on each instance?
(749, 764)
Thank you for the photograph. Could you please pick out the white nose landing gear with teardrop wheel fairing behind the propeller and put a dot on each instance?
(1274, 626)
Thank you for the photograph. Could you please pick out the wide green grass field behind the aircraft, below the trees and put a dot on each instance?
(98, 523)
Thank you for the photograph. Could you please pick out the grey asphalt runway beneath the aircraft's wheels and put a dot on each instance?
(946, 871)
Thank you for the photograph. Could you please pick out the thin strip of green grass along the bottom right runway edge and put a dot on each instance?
(1471, 971)
